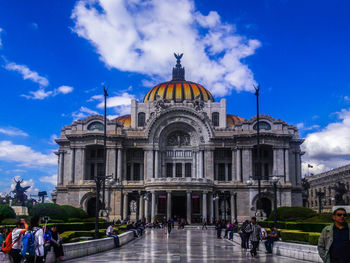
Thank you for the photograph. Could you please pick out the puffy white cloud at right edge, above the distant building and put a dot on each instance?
(330, 147)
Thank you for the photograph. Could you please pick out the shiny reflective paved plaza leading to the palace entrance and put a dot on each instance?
(189, 245)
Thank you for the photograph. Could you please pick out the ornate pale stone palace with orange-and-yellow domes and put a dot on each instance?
(179, 154)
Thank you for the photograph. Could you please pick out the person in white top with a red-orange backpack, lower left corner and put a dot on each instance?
(17, 236)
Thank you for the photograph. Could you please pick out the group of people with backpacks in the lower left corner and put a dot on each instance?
(31, 243)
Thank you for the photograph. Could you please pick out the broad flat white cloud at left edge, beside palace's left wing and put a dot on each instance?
(25, 156)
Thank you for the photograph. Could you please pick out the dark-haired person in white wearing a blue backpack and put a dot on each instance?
(38, 240)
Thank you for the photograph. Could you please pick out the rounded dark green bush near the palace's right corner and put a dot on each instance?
(297, 213)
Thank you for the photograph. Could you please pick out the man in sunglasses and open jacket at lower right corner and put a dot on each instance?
(334, 242)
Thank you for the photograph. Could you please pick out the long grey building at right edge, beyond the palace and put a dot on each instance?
(325, 183)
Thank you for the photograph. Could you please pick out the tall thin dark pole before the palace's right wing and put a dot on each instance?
(258, 170)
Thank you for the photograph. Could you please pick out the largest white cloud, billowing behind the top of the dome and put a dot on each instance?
(138, 36)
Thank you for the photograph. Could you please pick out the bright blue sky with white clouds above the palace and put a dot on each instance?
(56, 55)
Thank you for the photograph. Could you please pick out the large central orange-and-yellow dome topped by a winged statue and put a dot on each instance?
(178, 89)
